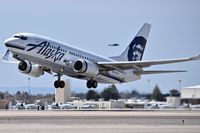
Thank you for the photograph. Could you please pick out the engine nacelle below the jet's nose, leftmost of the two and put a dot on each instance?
(27, 68)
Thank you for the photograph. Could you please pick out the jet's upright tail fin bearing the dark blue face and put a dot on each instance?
(135, 50)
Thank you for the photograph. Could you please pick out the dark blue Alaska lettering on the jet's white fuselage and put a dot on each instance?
(47, 51)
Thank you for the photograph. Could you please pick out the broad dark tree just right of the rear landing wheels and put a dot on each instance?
(110, 92)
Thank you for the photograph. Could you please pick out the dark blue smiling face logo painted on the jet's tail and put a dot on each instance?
(136, 49)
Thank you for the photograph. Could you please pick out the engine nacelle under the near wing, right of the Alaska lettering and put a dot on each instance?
(85, 68)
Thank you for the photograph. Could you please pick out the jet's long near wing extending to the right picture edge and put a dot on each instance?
(138, 65)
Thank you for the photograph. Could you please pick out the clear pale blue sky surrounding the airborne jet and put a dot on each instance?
(92, 25)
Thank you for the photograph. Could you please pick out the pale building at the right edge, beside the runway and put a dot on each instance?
(190, 95)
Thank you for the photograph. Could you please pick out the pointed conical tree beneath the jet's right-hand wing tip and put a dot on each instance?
(157, 95)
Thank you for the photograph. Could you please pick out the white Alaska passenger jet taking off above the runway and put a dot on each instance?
(37, 54)
